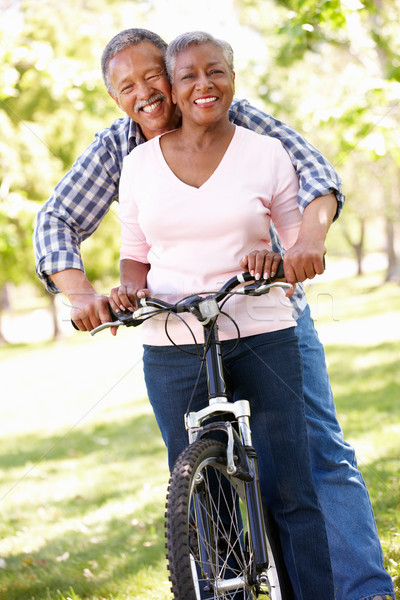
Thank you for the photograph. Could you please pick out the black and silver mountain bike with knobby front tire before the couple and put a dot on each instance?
(221, 539)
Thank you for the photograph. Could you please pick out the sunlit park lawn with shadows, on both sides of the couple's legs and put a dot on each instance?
(83, 468)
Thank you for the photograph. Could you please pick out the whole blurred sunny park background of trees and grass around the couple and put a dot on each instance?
(83, 469)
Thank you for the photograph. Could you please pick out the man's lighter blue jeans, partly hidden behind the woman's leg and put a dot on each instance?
(356, 554)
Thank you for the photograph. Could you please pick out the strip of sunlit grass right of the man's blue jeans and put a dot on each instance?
(360, 324)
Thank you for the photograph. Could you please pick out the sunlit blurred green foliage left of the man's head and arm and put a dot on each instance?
(52, 100)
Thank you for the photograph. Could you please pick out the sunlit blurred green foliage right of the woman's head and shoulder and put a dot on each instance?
(333, 72)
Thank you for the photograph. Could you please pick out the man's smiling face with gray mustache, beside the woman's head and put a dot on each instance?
(142, 89)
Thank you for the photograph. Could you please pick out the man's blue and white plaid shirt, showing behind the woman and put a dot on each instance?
(85, 194)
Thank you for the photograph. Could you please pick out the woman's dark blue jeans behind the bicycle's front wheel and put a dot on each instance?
(266, 370)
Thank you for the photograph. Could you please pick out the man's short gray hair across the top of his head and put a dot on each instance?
(125, 39)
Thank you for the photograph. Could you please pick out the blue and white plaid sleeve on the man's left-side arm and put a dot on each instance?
(79, 203)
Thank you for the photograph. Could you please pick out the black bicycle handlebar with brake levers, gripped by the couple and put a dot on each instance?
(203, 308)
